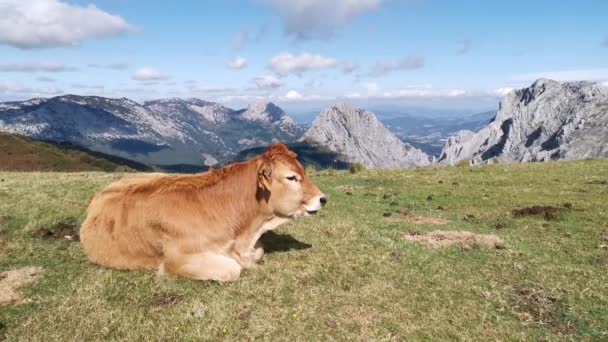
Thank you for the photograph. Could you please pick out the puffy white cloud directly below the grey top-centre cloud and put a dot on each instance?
(286, 63)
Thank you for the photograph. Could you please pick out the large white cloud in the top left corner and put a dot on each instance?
(33, 24)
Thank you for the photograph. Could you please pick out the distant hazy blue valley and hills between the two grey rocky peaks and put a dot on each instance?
(429, 133)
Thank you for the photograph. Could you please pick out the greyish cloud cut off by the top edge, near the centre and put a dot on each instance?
(319, 19)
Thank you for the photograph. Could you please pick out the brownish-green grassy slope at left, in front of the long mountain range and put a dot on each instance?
(19, 153)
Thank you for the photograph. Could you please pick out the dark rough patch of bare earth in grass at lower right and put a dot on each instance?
(534, 306)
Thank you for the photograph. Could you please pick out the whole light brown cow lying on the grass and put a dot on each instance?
(202, 226)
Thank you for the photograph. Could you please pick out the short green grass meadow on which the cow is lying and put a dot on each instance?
(347, 274)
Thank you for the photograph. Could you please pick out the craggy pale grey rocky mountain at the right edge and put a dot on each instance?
(550, 120)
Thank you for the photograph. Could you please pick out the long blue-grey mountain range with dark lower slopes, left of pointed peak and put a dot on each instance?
(178, 132)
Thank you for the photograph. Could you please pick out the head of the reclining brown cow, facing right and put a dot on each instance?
(290, 193)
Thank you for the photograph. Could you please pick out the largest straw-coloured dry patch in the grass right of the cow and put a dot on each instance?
(464, 240)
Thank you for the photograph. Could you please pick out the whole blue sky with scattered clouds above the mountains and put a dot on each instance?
(301, 54)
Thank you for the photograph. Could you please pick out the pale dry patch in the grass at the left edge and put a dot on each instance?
(11, 281)
